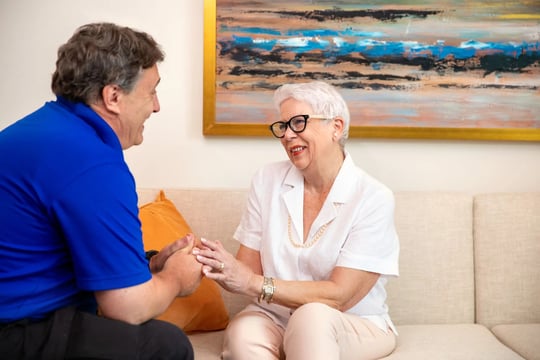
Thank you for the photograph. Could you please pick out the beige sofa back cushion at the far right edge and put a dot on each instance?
(507, 258)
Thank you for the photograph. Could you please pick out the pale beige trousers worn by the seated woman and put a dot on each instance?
(314, 331)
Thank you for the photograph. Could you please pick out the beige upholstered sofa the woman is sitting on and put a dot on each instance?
(469, 285)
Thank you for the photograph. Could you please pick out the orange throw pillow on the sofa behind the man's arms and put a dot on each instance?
(204, 309)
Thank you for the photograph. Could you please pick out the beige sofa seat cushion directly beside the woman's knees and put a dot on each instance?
(449, 341)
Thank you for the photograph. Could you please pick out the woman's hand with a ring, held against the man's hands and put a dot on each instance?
(225, 269)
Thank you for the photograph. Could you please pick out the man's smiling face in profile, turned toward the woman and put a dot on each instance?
(137, 106)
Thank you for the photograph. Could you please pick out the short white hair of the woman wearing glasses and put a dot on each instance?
(323, 98)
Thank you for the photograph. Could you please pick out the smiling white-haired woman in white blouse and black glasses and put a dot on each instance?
(317, 244)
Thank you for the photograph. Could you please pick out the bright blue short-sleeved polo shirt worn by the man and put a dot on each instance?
(68, 212)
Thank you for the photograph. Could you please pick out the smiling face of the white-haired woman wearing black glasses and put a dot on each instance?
(306, 148)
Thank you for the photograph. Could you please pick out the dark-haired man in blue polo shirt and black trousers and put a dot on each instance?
(70, 236)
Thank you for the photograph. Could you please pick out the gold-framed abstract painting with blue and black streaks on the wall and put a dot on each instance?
(409, 69)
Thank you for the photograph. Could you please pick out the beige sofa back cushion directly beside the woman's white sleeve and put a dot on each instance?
(436, 282)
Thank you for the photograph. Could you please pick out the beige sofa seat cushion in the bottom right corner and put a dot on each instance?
(522, 338)
